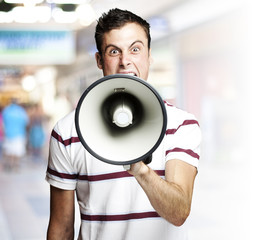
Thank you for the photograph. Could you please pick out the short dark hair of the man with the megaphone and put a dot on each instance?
(117, 18)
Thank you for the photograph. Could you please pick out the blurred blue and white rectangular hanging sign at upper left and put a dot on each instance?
(36, 47)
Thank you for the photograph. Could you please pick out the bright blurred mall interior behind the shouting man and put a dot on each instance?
(202, 62)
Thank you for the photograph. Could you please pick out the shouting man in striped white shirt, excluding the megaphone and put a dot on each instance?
(147, 202)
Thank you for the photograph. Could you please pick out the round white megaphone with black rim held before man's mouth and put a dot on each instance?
(120, 119)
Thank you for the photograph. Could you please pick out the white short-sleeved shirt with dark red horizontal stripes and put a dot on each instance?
(113, 206)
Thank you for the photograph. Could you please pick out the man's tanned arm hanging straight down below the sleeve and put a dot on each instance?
(62, 208)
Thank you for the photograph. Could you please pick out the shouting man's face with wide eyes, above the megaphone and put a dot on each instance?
(125, 51)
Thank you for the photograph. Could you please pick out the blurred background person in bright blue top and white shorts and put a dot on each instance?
(15, 122)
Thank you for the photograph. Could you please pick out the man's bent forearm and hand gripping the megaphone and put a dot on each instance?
(171, 197)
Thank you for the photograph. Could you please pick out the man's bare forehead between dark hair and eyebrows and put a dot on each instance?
(125, 36)
